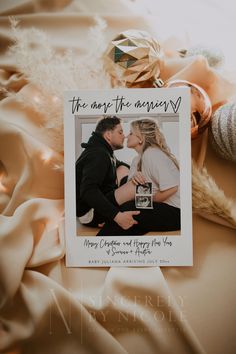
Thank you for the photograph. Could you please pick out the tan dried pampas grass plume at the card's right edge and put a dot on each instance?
(208, 199)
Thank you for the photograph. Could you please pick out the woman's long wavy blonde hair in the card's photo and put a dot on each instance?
(150, 132)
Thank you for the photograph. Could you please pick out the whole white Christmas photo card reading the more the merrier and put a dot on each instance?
(128, 177)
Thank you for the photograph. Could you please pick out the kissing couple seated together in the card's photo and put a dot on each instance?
(106, 187)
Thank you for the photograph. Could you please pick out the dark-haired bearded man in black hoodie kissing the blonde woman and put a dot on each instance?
(96, 176)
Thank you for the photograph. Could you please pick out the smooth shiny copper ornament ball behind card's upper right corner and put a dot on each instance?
(201, 109)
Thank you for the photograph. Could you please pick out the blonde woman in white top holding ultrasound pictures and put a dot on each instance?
(154, 163)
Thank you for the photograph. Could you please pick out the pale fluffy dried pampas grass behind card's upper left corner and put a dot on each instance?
(52, 73)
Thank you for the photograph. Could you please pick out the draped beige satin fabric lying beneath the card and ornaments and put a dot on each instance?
(48, 308)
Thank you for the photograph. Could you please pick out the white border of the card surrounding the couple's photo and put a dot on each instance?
(181, 252)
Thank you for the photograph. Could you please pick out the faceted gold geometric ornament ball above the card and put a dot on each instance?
(134, 59)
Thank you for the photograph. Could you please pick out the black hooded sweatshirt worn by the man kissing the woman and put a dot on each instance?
(96, 177)
